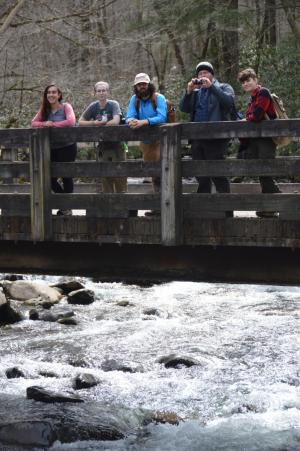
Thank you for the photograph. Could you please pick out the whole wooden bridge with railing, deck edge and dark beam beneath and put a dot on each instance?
(192, 238)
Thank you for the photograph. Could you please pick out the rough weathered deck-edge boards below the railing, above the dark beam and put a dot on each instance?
(249, 232)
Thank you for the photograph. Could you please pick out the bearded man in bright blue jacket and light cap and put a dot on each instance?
(146, 107)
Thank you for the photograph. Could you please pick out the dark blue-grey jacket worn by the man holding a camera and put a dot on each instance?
(220, 102)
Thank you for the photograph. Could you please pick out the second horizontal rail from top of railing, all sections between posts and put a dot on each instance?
(282, 166)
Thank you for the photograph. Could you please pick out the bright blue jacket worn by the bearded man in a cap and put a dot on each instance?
(146, 110)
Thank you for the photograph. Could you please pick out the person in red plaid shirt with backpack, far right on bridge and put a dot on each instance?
(261, 107)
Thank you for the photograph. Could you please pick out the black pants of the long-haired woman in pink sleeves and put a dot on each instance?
(63, 154)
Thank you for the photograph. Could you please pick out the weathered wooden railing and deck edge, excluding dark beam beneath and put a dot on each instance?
(184, 217)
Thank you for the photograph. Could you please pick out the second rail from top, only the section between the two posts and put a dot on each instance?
(131, 168)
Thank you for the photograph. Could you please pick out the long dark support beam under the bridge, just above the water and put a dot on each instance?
(154, 262)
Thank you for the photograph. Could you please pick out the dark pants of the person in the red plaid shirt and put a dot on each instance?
(262, 148)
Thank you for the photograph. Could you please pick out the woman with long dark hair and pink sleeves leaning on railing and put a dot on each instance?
(56, 113)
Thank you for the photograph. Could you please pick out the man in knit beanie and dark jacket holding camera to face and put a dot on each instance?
(208, 100)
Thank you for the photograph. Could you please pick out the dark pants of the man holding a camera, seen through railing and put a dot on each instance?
(212, 149)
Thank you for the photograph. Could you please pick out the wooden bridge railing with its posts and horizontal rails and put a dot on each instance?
(177, 209)
